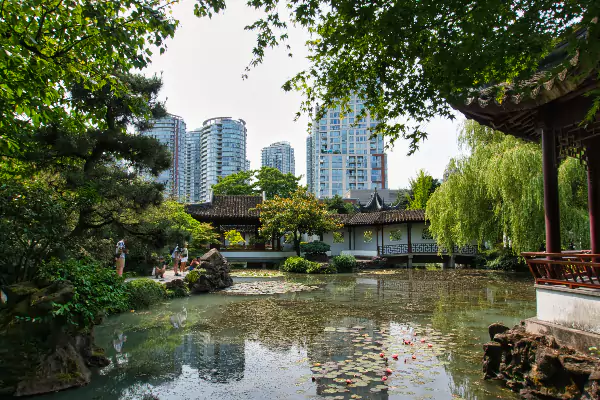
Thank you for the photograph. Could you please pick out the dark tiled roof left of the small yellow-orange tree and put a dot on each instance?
(227, 207)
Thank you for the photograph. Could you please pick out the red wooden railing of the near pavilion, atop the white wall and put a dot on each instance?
(571, 268)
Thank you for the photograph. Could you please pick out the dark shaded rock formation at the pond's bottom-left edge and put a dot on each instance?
(40, 353)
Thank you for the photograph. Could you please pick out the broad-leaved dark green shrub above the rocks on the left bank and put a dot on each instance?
(96, 290)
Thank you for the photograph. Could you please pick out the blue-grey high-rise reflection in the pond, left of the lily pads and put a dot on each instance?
(215, 361)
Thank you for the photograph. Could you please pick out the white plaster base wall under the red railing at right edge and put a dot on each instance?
(573, 308)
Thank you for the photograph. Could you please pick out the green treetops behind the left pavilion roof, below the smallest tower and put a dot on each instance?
(269, 180)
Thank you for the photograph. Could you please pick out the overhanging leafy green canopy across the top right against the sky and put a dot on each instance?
(409, 59)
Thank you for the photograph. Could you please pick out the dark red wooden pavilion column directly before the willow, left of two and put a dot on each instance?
(551, 210)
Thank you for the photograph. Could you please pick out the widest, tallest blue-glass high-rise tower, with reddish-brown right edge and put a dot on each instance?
(341, 156)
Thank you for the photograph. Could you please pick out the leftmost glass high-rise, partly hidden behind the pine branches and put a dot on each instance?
(171, 132)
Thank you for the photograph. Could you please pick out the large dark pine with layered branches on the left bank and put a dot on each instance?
(75, 190)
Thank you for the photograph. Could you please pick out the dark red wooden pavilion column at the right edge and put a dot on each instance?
(593, 161)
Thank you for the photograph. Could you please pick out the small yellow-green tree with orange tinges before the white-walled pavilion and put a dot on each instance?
(301, 213)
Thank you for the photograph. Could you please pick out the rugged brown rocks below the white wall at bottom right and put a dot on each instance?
(537, 367)
